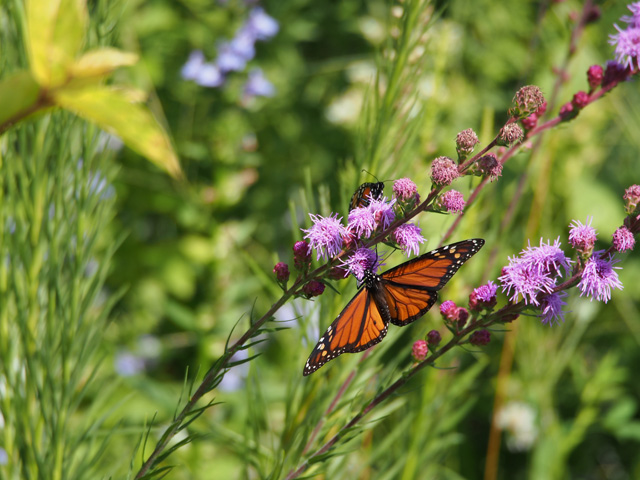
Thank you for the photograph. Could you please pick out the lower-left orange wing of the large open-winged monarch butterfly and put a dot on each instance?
(359, 326)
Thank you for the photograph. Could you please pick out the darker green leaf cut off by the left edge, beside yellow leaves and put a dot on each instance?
(18, 98)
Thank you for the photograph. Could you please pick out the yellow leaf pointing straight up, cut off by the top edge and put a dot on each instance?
(55, 32)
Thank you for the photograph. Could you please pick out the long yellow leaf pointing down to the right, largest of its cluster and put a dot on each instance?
(113, 111)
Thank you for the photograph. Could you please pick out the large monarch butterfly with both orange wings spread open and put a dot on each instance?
(399, 295)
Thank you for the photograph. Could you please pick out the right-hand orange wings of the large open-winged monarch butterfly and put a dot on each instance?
(410, 288)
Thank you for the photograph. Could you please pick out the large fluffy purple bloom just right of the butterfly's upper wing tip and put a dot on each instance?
(535, 271)
